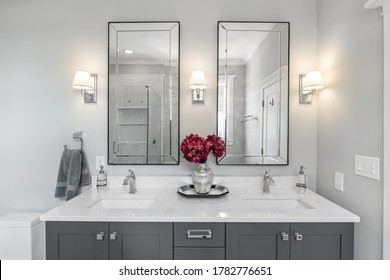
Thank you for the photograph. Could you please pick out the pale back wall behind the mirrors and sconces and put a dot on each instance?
(43, 43)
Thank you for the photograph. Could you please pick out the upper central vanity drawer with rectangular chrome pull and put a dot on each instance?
(199, 234)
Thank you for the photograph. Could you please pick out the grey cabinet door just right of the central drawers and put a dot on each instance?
(257, 241)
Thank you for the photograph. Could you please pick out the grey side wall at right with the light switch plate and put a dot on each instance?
(350, 113)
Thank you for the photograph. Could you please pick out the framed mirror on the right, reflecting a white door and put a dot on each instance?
(253, 92)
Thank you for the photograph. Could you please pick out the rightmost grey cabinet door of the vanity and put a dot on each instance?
(322, 241)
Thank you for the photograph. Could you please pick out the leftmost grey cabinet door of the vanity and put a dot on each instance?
(76, 240)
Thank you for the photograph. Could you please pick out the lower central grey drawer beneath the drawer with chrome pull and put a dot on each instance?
(193, 253)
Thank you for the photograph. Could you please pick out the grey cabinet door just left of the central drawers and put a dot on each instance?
(141, 241)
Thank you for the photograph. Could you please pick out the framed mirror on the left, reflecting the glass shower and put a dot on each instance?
(143, 92)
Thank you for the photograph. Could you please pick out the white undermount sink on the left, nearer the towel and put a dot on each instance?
(130, 202)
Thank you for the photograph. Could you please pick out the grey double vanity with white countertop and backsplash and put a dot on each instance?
(158, 223)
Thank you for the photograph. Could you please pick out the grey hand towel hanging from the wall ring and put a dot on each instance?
(73, 172)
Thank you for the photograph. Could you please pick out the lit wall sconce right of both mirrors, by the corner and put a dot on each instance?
(308, 84)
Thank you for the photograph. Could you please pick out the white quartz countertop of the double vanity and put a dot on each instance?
(245, 202)
